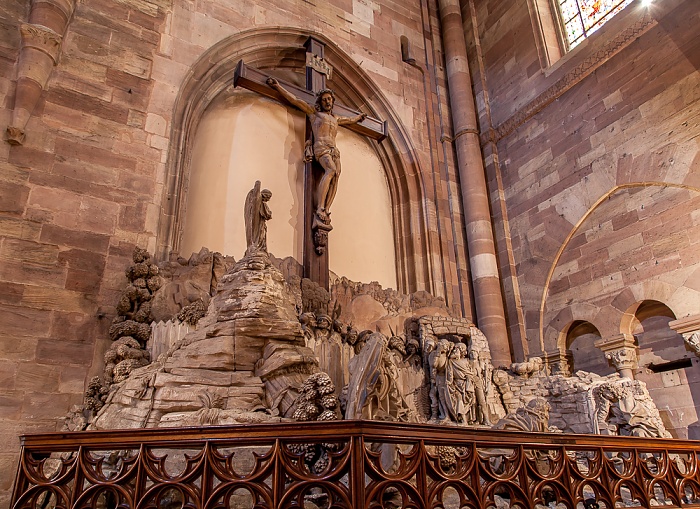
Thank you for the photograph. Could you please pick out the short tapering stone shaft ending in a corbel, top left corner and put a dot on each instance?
(40, 48)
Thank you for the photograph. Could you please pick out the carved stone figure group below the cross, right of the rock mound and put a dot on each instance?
(372, 367)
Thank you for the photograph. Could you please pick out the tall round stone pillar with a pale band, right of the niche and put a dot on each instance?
(488, 298)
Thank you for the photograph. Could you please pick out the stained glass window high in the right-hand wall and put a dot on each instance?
(583, 17)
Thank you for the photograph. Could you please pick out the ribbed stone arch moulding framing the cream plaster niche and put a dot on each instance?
(275, 48)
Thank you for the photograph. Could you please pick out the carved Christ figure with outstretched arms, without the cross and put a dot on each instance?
(324, 126)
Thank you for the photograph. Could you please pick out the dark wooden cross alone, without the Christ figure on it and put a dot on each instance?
(315, 239)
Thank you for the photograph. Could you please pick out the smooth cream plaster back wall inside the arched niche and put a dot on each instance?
(244, 137)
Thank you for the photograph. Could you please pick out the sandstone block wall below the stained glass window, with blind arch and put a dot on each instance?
(594, 176)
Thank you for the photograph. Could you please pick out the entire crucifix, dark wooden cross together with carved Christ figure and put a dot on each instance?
(321, 156)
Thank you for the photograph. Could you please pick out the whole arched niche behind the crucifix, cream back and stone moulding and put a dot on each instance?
(223, 139)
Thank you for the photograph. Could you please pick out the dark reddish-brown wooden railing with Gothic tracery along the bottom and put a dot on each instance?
(351, 464)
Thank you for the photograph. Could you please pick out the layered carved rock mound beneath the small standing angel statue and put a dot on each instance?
(243, 364)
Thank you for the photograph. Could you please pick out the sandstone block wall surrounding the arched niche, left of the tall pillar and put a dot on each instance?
(89, 182)
